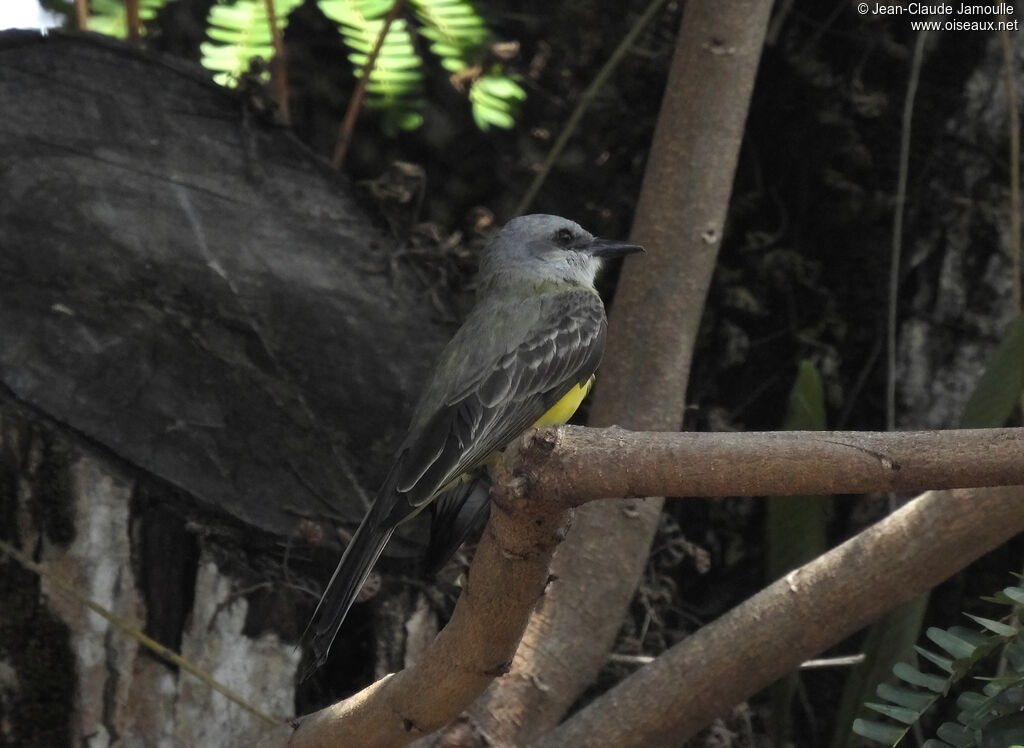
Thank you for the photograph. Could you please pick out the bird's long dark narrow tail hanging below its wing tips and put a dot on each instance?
(353, 571)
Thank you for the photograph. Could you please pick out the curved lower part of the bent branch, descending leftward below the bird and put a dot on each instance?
(507, 579)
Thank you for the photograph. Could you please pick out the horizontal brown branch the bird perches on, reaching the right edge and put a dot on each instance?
(591, 464)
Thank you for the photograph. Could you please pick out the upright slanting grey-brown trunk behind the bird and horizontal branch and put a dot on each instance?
(643, 385)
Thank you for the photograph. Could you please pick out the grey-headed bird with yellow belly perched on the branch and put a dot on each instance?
(525, 357)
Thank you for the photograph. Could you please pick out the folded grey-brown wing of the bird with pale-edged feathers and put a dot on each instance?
(485, 398)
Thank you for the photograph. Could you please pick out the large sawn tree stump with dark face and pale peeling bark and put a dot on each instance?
(210, 315)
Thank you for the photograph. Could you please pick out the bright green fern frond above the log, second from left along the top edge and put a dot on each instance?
(241, 32)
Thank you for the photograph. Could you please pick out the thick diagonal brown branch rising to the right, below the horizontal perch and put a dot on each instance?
(797, 617)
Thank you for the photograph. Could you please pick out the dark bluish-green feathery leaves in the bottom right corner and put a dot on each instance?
(986, 718)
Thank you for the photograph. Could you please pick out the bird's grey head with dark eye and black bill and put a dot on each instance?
(547, 248)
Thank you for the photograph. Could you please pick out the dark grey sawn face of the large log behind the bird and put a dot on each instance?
(188, 288)
